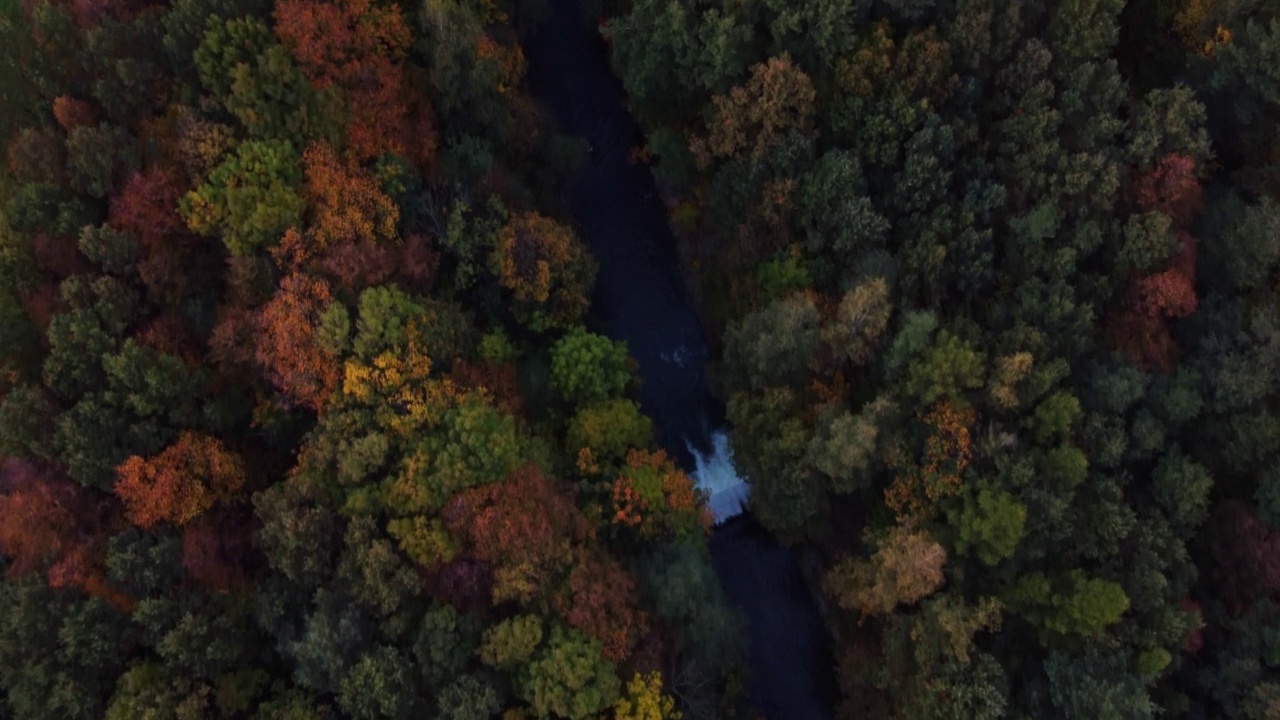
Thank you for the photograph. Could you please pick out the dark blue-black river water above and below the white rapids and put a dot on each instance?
(641, 300)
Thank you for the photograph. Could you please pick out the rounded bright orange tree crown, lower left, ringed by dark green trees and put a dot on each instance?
(180, 484)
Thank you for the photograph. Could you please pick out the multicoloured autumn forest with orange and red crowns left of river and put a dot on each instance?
(299, 416)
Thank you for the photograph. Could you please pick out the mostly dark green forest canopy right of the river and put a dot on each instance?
(998, 285)
